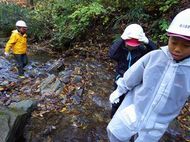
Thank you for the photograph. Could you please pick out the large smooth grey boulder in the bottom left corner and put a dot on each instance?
(13, 120)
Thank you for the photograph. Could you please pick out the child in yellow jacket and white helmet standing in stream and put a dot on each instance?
(18, 44)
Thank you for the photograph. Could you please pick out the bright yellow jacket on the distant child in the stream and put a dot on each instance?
(17, 42)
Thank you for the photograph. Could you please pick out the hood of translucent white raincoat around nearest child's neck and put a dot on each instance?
(185, 62)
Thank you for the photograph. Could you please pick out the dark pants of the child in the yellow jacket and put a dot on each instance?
(22, 61)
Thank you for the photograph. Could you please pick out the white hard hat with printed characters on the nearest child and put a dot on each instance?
(181, 24)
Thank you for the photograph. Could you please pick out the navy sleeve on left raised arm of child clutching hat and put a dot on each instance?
(115, 49)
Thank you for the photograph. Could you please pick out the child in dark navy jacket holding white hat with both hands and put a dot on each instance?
(132, 45)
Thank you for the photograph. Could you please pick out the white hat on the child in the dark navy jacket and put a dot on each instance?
(133, 31)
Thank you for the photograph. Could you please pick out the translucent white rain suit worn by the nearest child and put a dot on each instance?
(158, 88)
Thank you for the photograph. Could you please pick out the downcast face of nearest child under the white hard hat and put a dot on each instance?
(179, 48)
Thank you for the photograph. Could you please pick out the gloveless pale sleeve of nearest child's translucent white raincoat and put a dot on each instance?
(133, 76)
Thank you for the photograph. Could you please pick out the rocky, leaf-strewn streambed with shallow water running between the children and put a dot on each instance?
(71, 92)
